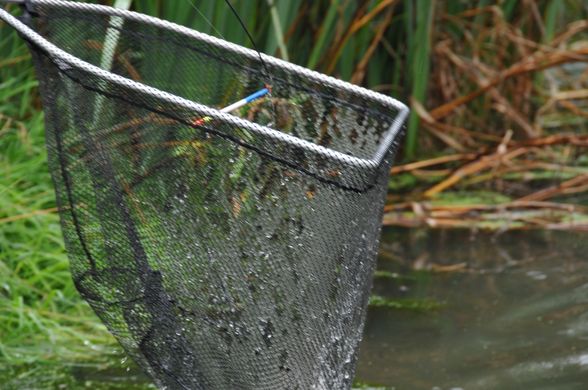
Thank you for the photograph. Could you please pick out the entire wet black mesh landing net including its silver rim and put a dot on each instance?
(223, 250)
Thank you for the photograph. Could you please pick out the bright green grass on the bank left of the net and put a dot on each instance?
(43, 321)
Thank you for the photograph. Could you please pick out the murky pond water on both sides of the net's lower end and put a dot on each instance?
(480, 311)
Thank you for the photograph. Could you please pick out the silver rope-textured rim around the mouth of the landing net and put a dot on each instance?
(63, 59)
